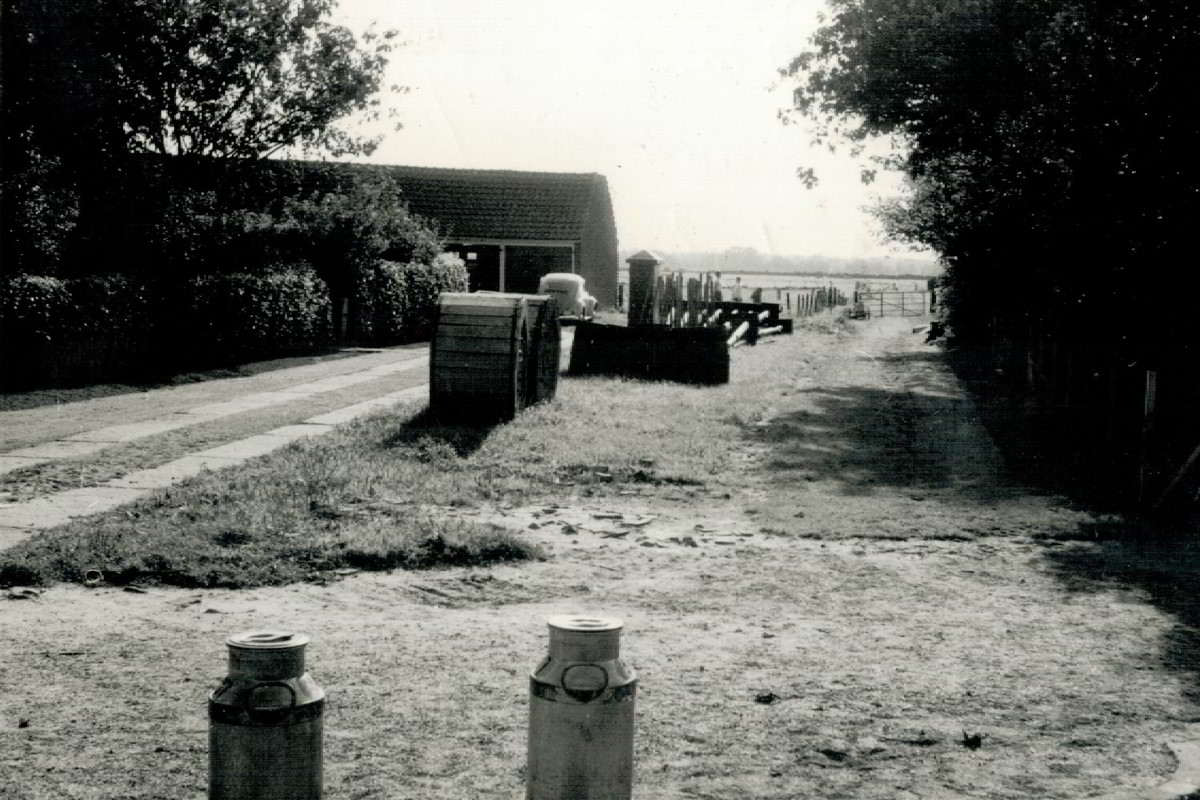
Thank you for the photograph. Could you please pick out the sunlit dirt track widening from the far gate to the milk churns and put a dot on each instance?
(842, 616)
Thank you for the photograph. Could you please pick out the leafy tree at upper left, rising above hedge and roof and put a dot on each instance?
(88, 85)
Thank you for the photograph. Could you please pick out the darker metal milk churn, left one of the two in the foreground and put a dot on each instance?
(266, 723)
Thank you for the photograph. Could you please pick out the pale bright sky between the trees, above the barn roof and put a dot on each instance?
(674, 101)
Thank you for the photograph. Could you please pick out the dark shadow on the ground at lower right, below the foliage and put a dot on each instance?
(1161, 566)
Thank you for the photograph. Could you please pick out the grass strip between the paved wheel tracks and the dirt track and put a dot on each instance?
(382, 492)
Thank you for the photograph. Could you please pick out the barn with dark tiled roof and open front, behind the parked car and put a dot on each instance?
(514, 227)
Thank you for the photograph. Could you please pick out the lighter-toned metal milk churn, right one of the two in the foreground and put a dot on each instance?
(581, 715)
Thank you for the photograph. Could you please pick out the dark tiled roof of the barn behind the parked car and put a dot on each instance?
(501, 204)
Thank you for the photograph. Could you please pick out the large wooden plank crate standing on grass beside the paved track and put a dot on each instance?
(494, 354)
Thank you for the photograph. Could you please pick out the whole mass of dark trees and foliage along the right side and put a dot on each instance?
(1048, 145)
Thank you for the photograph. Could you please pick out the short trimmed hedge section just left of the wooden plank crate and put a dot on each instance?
(399, 303)
